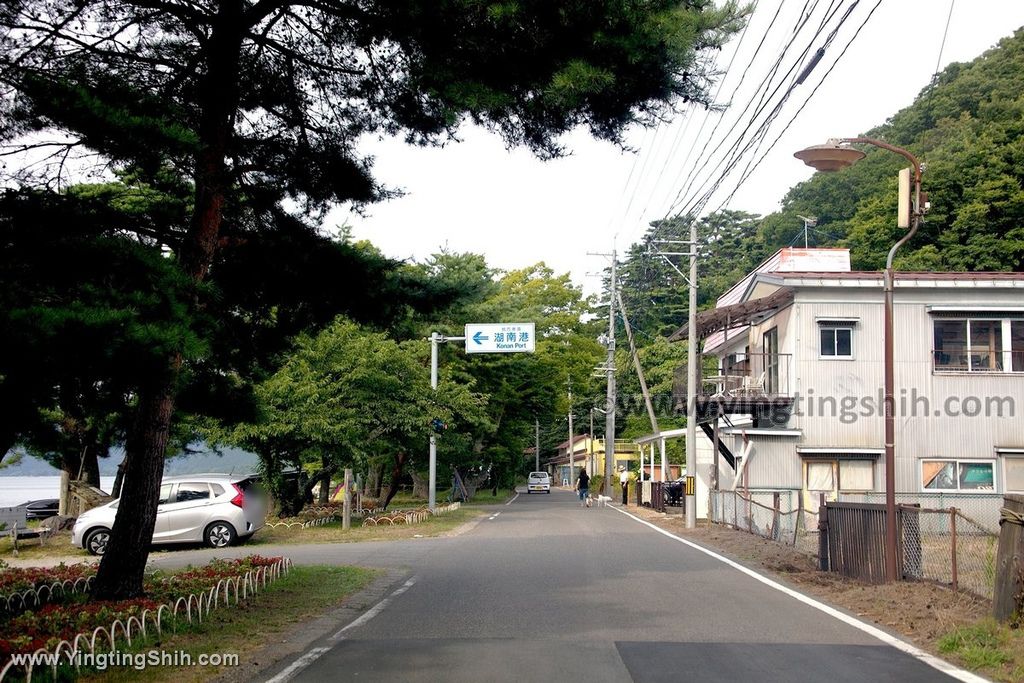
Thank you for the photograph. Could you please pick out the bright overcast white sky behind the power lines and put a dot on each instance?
(476, 196)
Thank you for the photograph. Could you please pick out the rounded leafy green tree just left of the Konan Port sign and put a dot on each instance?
(344, 398)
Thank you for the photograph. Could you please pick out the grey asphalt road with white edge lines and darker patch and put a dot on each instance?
(546, 591)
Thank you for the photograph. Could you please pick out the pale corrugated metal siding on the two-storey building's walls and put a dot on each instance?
(921, 434)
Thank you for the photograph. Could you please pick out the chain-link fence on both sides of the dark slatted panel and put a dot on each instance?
(948, 546)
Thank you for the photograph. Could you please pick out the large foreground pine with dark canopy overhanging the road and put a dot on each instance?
(259, 101)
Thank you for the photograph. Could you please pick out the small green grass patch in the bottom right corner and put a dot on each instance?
(988, 648)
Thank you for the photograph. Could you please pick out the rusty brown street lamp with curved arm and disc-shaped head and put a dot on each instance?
(837, 155)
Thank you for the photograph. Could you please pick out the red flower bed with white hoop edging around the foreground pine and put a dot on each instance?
(72, 623)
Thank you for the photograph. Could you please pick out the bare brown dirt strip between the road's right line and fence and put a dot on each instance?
(920, 612)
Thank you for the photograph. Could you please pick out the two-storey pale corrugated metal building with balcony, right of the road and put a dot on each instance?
(799, 389)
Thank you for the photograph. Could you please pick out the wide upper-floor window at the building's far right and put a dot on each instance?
(979, 346)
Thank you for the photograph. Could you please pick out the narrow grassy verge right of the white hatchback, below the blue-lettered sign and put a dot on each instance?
(332, 532)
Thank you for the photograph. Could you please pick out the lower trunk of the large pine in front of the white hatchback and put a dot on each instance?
(121, 570)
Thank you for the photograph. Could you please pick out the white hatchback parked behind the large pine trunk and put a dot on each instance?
(216, 509)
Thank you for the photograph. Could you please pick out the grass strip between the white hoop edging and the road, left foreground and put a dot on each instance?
(305, 593)
